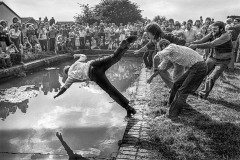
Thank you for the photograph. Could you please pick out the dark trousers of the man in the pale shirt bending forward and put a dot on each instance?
(187, 83)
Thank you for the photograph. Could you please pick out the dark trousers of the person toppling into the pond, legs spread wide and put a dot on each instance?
(97, 74)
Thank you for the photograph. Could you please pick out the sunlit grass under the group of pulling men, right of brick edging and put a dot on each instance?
(206, 129)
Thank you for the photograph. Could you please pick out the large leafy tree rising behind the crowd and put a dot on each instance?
(114, 11)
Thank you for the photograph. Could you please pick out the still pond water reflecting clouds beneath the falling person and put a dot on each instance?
(90, 121)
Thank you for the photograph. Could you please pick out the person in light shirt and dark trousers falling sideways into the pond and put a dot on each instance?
(94, 70)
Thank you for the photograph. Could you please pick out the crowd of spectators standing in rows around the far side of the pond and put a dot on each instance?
(19, 39)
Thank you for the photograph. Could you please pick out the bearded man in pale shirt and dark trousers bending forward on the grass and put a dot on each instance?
(189, 81)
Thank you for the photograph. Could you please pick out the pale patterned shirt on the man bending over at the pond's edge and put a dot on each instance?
(181, 55)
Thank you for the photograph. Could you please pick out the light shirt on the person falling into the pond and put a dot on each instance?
(78, 72)
